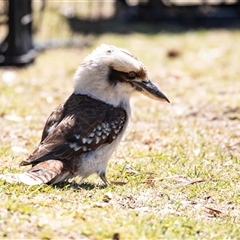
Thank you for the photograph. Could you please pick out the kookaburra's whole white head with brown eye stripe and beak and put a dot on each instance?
(112, 75)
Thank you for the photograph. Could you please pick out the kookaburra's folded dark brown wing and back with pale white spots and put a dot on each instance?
(84, 125)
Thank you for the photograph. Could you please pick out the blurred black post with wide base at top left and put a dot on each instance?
(17, 49)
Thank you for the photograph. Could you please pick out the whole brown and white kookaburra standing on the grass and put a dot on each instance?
(82, 133)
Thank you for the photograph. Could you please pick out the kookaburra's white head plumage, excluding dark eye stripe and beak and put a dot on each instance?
(92, 76)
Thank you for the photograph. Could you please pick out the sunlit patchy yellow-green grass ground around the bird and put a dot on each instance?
(180, 161)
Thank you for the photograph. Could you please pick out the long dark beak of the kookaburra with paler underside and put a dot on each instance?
(150, 90)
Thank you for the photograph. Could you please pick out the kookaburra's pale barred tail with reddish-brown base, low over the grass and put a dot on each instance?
(51, 171)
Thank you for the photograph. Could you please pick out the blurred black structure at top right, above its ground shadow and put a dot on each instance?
(184, 10)
